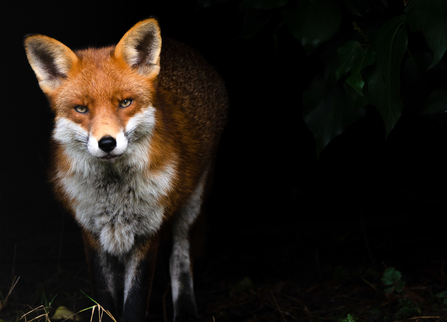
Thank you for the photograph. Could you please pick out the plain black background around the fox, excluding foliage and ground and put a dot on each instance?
(275, 211)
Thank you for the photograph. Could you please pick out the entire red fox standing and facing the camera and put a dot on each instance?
(135, 135)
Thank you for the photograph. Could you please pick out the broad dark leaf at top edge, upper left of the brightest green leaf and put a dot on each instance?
(313, 22)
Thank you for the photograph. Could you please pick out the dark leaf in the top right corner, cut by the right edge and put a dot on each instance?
(430, 17)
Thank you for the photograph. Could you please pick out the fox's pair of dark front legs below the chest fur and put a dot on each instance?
(122, 284)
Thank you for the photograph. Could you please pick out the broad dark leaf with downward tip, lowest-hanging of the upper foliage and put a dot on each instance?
(327, 117)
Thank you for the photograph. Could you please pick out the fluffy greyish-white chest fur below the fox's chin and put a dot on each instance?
(118, 207)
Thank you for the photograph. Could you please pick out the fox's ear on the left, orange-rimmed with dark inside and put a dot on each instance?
(50, 59)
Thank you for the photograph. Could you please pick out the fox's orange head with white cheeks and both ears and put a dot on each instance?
(102, 98)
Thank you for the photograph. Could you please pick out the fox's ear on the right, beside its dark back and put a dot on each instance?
(140, 47)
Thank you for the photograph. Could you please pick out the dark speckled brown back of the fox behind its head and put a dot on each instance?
(193, 85)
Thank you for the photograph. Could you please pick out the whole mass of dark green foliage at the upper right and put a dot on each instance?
(369, 40)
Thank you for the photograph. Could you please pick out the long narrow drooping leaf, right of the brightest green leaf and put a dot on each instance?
(389, 44)
